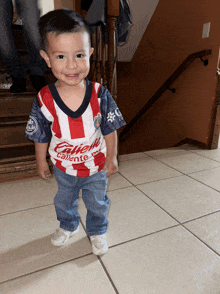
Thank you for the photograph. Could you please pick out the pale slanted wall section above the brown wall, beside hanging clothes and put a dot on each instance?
(141, 13)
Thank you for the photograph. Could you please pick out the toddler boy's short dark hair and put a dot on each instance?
(61, 21)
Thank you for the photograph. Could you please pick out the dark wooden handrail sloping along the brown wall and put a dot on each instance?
(138, 119)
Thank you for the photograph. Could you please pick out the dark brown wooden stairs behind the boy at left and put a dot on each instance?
(17, 156)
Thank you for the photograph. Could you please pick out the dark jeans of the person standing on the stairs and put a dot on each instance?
(30, 14)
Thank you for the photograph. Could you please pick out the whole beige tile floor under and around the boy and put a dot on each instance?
(164, 231)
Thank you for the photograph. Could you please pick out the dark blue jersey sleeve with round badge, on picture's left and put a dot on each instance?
(38, 128)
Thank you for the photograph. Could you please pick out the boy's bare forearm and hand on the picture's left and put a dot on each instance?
(42, 165)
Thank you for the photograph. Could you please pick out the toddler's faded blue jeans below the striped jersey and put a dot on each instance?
(93, 195)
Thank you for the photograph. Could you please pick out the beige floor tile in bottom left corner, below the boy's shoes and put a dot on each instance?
(81, 276)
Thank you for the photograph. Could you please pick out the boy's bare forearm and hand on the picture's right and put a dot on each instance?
(111, 157)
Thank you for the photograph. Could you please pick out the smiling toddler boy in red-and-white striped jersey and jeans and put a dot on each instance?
(79, 118)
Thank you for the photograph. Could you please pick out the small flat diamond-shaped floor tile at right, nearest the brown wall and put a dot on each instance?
(188, 162)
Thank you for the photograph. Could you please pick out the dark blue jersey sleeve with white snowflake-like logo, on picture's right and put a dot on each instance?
(112, 118)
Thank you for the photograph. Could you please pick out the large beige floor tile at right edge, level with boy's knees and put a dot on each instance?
(183, 197)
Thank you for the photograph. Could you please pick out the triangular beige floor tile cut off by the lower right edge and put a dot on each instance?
(207, 229)
